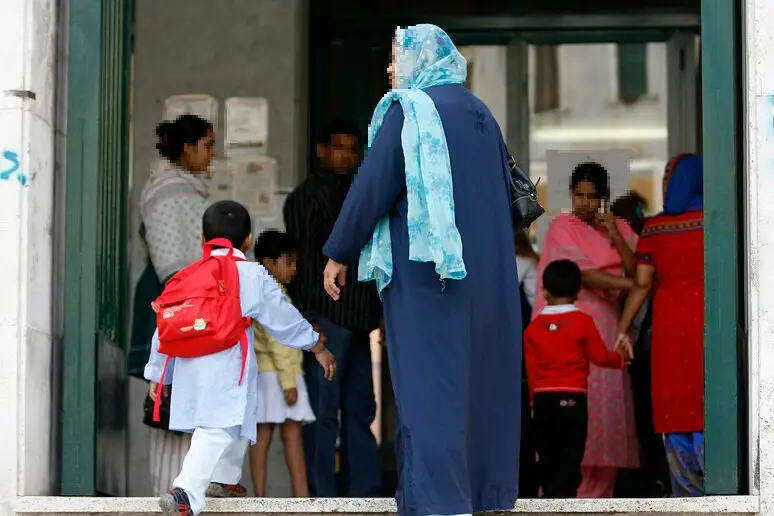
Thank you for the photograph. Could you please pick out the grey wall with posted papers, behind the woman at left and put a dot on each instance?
(237, 48)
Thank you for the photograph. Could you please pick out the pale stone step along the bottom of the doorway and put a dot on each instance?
(78, 506)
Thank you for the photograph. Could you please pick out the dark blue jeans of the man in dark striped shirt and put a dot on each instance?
(352, 392)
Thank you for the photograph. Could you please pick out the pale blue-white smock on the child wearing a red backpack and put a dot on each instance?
(205, 390)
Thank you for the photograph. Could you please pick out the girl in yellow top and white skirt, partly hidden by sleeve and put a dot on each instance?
(282, 395)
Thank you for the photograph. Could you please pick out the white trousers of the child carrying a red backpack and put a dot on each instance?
(216, 455)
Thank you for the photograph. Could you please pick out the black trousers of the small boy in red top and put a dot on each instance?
(561, 425)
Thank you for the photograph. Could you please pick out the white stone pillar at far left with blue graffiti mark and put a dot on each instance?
(27, 61)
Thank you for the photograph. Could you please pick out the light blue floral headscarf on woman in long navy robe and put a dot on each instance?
(425, 57)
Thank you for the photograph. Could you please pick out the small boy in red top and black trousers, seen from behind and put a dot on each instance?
(559, 344)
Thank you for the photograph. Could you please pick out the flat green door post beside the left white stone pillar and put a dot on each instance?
(78, 461)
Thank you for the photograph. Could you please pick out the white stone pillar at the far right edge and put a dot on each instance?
(759, 152)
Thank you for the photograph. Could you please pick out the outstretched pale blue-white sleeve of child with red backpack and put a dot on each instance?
(263, 301)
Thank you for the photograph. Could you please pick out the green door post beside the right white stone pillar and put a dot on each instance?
(722, 211)
